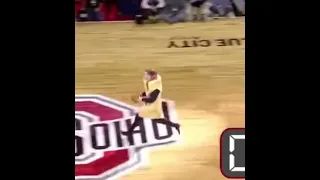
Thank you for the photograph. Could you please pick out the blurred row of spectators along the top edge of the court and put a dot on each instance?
(152, 11)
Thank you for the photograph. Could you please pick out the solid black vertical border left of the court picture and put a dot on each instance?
(38, 94)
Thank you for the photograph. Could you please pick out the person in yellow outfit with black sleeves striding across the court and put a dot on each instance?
(151, 98)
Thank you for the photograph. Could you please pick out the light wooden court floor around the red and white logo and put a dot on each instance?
(207, 84)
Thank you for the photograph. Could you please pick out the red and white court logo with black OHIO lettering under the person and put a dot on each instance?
(101, 151)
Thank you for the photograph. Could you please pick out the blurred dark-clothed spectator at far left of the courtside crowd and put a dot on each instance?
(93, 10)
